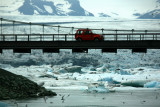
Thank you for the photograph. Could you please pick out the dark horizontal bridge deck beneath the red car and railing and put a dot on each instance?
(148, 44)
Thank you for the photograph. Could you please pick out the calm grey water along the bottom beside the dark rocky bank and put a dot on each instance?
(83, 99)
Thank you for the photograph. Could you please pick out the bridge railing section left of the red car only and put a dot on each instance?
(37, 37)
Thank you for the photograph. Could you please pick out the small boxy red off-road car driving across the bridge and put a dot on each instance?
(87, 35)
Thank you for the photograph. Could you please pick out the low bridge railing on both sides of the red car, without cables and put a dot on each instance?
(71, 37)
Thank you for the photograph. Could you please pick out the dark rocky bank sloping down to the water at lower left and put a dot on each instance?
(18, 87)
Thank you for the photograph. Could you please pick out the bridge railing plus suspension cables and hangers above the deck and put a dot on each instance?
(11, 30)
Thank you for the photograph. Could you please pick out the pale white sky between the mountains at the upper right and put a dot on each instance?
(123, 7)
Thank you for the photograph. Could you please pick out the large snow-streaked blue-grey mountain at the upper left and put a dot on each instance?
(44, 7)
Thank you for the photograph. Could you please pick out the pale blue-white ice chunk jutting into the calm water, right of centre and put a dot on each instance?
(98, 88)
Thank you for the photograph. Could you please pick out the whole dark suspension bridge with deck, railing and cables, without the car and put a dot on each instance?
(24, 36)
